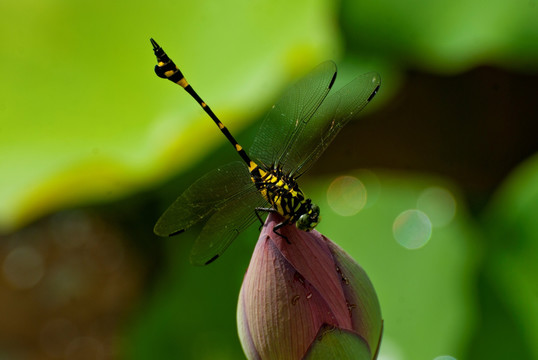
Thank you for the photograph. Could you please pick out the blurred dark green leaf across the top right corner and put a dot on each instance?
(445, 36)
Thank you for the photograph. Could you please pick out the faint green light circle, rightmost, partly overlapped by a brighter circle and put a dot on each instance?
(439, 204)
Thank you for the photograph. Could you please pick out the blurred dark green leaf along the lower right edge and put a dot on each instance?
(510, 277)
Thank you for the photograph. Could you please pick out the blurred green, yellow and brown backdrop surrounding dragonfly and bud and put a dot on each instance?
(441, 170)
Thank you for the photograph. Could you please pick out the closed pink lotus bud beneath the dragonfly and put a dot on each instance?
(303, 297)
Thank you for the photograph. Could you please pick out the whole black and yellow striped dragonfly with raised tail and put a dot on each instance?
(293, 135)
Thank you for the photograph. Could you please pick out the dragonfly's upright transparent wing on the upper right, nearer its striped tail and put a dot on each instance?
(289, 115)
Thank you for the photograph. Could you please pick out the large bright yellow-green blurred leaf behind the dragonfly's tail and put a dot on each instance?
(82, 109)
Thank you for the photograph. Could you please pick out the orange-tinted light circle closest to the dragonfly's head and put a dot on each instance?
(346, 195)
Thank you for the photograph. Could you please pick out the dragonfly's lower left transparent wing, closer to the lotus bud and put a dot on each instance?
(225, 225)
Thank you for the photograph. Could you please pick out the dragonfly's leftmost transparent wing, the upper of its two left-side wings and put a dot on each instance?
(203, 198)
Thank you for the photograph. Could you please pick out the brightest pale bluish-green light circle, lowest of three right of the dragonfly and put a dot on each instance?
(412, 229)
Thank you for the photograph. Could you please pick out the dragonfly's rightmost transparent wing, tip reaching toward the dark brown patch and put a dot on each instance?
(331, 116)
